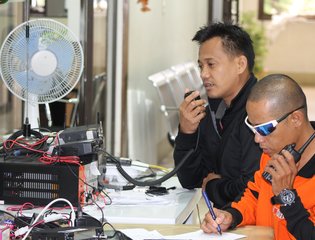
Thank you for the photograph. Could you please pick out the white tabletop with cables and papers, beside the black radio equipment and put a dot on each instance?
(173, 208)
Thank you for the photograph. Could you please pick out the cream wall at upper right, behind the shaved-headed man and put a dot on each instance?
(291, 47)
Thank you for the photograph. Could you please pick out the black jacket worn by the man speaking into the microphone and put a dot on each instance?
(231, 152)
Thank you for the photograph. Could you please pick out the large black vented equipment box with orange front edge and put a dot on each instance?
(28, 180)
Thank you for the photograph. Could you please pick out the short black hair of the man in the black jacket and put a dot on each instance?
(235, 40)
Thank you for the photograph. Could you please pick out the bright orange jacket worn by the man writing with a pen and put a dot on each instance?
(289, 222)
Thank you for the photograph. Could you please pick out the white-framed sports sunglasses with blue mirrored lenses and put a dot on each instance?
(265, 129)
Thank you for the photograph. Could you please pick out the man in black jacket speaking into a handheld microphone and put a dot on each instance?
(225, 155)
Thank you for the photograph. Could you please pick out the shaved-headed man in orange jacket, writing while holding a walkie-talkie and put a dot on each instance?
(281, 193)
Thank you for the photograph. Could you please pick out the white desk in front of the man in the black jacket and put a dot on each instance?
(184, 203)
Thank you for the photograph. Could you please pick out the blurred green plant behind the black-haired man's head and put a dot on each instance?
(256, 31)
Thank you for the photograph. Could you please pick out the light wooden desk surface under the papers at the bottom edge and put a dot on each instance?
(252, 232)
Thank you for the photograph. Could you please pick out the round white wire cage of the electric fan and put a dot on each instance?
(44, 67)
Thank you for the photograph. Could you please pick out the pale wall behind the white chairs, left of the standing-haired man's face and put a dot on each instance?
(158, 39)
